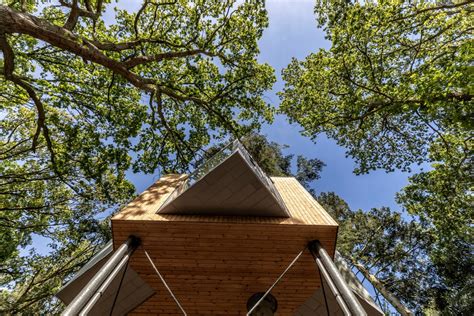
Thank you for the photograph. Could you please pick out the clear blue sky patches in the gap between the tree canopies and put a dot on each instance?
(293, 33)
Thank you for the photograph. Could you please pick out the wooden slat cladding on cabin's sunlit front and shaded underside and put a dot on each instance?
(215, 263)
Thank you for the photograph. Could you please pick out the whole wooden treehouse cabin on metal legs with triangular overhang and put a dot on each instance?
(224, 240)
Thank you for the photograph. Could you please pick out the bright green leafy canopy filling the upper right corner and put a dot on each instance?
(397, 76)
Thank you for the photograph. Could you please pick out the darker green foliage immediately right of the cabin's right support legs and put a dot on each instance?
(383, 245)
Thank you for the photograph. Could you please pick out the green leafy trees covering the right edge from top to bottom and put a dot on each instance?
(395, 89)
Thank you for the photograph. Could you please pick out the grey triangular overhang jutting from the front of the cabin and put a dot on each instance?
(230, 183)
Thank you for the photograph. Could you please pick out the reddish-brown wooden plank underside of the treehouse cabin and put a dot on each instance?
(214, 267)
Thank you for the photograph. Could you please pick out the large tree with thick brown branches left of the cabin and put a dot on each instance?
(86, 96)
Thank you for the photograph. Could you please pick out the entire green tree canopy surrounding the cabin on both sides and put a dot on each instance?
(90, 91)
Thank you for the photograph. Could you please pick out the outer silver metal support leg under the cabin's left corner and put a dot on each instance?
(100, 277)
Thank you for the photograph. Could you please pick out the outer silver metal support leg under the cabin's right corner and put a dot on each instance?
(333, 275)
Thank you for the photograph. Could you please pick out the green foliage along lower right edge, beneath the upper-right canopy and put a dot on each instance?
(442, 198)
